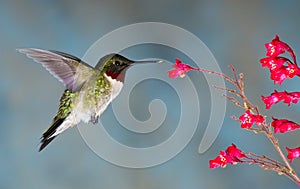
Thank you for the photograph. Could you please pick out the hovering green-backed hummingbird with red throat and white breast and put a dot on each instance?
(89, 90)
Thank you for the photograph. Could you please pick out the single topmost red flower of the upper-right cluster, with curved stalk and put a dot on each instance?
(277, 47)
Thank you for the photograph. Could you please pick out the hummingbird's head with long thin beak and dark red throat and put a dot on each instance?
(115, 65)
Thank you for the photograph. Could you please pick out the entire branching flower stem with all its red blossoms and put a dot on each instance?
(281, 68)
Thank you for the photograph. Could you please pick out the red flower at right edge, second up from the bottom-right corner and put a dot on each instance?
(283, 125)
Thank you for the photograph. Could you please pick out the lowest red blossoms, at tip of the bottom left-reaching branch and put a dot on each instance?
(232, 155)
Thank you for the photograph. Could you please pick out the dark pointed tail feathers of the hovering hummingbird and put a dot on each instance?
(48, 134)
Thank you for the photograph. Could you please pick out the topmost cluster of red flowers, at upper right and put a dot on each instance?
(281, 68)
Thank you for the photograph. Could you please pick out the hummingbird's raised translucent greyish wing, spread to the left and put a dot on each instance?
(69, 70)
